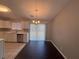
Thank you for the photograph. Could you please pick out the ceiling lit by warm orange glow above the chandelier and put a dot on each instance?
(25, 9)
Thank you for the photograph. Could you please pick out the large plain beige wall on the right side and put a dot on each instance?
(65, 30)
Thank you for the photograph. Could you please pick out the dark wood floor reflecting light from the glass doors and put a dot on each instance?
(39, 50)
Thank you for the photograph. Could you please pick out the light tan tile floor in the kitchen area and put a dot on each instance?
(12, 49)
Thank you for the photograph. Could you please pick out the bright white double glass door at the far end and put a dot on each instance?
(37, 32)
